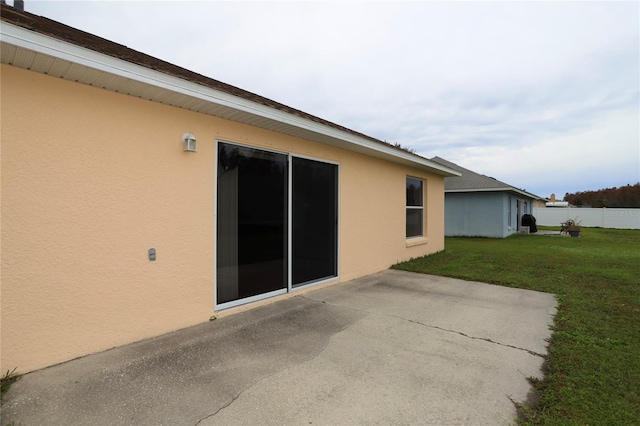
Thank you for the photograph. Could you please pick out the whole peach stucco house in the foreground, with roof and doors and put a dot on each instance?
(139, 197)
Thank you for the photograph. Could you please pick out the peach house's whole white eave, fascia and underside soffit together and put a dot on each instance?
(40, 53)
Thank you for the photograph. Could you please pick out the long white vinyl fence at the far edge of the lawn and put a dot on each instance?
(600, 218)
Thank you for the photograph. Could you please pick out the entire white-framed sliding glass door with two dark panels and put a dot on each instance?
(254, 247)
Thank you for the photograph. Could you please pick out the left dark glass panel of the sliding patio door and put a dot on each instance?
(251, 254)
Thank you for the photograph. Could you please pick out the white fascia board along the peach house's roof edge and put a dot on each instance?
(44, 44)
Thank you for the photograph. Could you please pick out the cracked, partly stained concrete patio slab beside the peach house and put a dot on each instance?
(391, 348)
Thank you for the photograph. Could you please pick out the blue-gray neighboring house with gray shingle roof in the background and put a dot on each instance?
(479, 205)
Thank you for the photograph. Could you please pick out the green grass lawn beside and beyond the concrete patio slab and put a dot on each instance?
(592, 371)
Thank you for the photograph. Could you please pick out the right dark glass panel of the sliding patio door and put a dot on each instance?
(314, 220)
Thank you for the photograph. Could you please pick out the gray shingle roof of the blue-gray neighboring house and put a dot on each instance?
(471, 181)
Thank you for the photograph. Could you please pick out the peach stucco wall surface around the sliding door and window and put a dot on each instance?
(92, 179)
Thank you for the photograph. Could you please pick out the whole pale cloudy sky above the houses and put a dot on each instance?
(542, 95)
